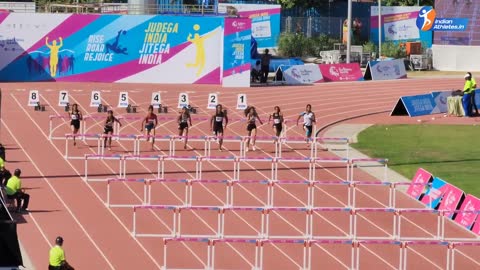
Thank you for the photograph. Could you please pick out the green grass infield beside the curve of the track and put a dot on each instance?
(451, 153)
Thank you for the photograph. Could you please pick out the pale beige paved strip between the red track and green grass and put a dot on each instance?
(351, 131)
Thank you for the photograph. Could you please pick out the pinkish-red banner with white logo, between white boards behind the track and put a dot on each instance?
(341, 72)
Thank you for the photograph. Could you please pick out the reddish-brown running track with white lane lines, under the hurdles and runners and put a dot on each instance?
(99, 238)
